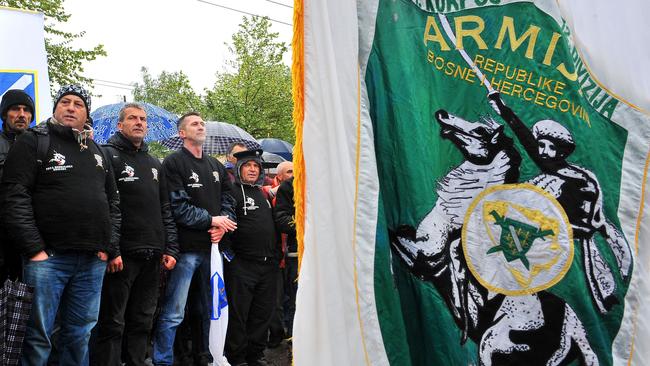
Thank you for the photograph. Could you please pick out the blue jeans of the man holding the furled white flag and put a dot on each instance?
(173, 306)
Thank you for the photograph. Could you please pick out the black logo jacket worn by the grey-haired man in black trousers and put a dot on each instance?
(147, 222)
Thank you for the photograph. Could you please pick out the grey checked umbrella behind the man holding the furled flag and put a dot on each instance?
(218, 136)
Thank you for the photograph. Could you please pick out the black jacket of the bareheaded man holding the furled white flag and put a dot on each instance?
(198, 190)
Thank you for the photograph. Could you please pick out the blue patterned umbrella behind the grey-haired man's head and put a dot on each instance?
(161, 124)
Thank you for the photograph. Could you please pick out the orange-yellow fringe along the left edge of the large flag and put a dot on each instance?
(298, 88)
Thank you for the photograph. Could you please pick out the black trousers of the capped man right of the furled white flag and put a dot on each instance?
(251, 287)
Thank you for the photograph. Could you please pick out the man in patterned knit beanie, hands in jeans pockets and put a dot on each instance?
(61, 209)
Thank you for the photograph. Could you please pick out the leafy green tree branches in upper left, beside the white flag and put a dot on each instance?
(65, 63)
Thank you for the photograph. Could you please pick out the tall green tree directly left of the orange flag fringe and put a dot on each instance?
(256, 93)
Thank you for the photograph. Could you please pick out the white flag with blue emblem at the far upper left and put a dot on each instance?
(23, 61)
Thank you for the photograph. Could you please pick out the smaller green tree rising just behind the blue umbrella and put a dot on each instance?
(170, 90)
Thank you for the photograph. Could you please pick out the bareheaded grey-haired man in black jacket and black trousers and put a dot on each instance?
(148, 240)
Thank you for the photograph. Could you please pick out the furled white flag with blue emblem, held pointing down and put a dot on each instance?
(219, 310)
